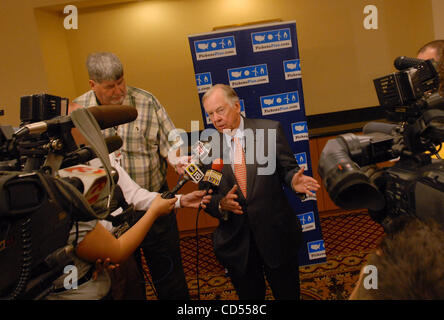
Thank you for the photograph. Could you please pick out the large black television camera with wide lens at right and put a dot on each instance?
(413, 186)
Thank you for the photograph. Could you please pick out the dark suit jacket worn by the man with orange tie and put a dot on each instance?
(267, 213)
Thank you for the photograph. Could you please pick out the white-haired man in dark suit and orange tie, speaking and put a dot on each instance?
(258, 231)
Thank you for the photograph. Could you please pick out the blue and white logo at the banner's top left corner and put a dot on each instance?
(215, 48)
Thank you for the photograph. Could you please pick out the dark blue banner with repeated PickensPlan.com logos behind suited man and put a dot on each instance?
(262, 64)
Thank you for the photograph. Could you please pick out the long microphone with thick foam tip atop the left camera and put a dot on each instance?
(107, 116)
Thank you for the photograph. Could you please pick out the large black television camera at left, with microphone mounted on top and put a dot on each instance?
(44, 189)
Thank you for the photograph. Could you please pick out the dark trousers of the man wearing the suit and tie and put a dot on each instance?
(284, 280)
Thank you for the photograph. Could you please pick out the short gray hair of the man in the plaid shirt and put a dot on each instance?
(104, 66)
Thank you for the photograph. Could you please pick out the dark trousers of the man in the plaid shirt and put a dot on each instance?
(161, 248)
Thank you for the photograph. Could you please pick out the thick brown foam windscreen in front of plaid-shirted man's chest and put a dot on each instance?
(108, 116)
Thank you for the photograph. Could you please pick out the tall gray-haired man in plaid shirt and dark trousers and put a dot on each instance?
(144, 155)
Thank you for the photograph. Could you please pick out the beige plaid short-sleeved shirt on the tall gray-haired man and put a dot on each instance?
(145, 140)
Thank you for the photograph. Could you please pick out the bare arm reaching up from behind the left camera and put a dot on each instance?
(100, 244)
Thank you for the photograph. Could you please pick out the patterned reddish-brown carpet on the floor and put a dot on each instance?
(349, 238)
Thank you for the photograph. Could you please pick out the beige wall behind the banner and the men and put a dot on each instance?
(339, 57)
